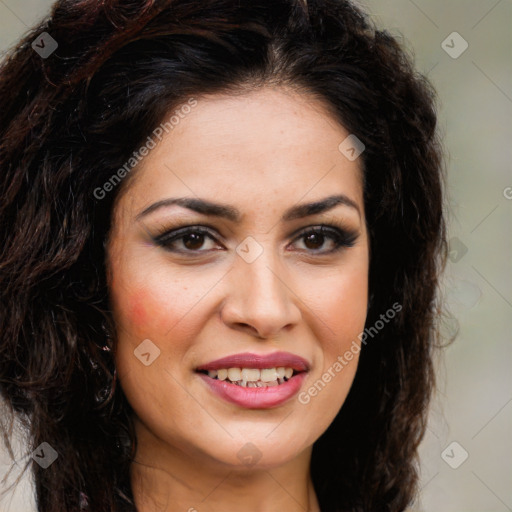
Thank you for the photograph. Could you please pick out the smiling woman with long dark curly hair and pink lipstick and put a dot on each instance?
(222, 234)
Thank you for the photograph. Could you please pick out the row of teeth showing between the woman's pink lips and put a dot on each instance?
(252, 377)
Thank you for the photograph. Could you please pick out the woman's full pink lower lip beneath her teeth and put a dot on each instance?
(255, 398)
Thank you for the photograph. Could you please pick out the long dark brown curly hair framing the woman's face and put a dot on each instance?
(68, 121)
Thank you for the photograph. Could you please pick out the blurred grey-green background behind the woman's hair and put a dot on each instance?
(465, 48)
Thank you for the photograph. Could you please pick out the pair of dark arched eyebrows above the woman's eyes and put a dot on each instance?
(231, 213)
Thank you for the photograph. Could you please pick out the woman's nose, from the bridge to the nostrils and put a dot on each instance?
(261, 300)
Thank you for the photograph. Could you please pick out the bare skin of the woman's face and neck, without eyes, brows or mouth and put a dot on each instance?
(261, 152)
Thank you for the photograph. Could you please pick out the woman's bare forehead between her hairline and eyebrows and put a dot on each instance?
(267, 147)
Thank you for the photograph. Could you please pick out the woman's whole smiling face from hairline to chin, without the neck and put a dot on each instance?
(250, 281)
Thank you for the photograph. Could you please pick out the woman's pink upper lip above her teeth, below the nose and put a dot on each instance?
(251, 360)
